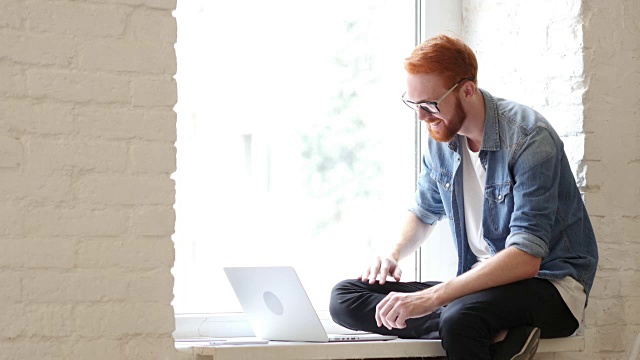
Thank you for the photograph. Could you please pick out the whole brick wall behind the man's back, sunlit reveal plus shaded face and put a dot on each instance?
(578, 63)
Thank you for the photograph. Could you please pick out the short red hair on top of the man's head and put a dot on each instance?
(446, 56)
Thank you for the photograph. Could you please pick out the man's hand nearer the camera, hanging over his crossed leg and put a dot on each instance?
(396, 308)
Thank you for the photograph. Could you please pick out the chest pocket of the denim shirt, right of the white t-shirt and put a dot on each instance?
(498, 207)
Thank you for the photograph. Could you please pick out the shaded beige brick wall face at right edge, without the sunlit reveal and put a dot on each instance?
(612, 153)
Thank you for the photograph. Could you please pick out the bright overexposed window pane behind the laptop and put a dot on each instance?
(293, 145)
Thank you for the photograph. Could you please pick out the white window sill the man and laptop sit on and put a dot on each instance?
(400, 348)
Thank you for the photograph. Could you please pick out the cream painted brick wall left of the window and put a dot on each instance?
(87, 136)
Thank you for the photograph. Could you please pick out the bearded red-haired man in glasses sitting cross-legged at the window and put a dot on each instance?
(498, 172)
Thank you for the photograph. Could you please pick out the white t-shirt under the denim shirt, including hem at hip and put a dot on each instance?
(474, 178)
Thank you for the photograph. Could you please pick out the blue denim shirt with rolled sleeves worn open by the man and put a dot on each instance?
(531, 200)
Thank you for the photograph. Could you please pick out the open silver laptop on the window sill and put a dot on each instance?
(278, 306)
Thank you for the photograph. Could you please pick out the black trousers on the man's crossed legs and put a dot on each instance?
(466, 326)
